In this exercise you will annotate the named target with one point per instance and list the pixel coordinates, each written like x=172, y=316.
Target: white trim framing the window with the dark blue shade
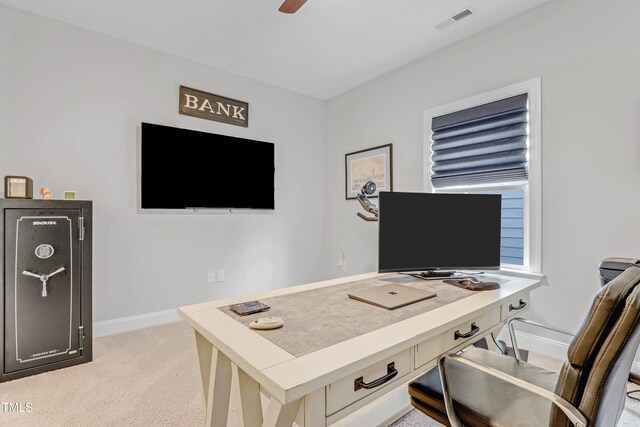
x=532, y=191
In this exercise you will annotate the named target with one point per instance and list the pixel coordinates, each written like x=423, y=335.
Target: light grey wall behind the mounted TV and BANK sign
x=70, y=104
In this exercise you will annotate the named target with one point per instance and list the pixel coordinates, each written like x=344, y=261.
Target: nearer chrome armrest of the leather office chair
x=576, y=418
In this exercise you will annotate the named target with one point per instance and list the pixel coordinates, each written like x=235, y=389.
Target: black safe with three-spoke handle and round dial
x=46, y=285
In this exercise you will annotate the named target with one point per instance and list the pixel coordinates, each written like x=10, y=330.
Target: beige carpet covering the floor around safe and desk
x=145, y=378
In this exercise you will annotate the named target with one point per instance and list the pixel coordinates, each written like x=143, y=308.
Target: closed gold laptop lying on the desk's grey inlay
x=391, y=296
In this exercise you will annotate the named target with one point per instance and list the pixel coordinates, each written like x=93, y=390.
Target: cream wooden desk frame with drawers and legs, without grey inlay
x=317, y=389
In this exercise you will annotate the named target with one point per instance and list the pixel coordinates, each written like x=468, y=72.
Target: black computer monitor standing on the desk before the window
x=425, y=231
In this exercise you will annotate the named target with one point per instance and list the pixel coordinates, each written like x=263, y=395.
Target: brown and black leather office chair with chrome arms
x=483, y=388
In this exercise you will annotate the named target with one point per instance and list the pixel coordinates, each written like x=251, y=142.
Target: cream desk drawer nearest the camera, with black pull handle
x=352, y=388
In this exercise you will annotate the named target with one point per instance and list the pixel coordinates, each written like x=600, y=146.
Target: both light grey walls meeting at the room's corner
x=71, y=101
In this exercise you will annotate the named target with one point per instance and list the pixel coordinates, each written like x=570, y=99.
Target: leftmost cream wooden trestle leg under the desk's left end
x=215, y=370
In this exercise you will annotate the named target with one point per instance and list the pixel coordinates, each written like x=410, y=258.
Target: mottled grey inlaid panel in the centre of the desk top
x=319, y=318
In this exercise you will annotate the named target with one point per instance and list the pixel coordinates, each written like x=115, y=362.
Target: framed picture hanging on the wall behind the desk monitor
x=373, y=164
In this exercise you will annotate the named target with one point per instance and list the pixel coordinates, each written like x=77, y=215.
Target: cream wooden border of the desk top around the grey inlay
x=282, y=372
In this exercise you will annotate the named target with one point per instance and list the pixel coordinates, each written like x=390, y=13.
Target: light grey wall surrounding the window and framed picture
x=587, y=54
